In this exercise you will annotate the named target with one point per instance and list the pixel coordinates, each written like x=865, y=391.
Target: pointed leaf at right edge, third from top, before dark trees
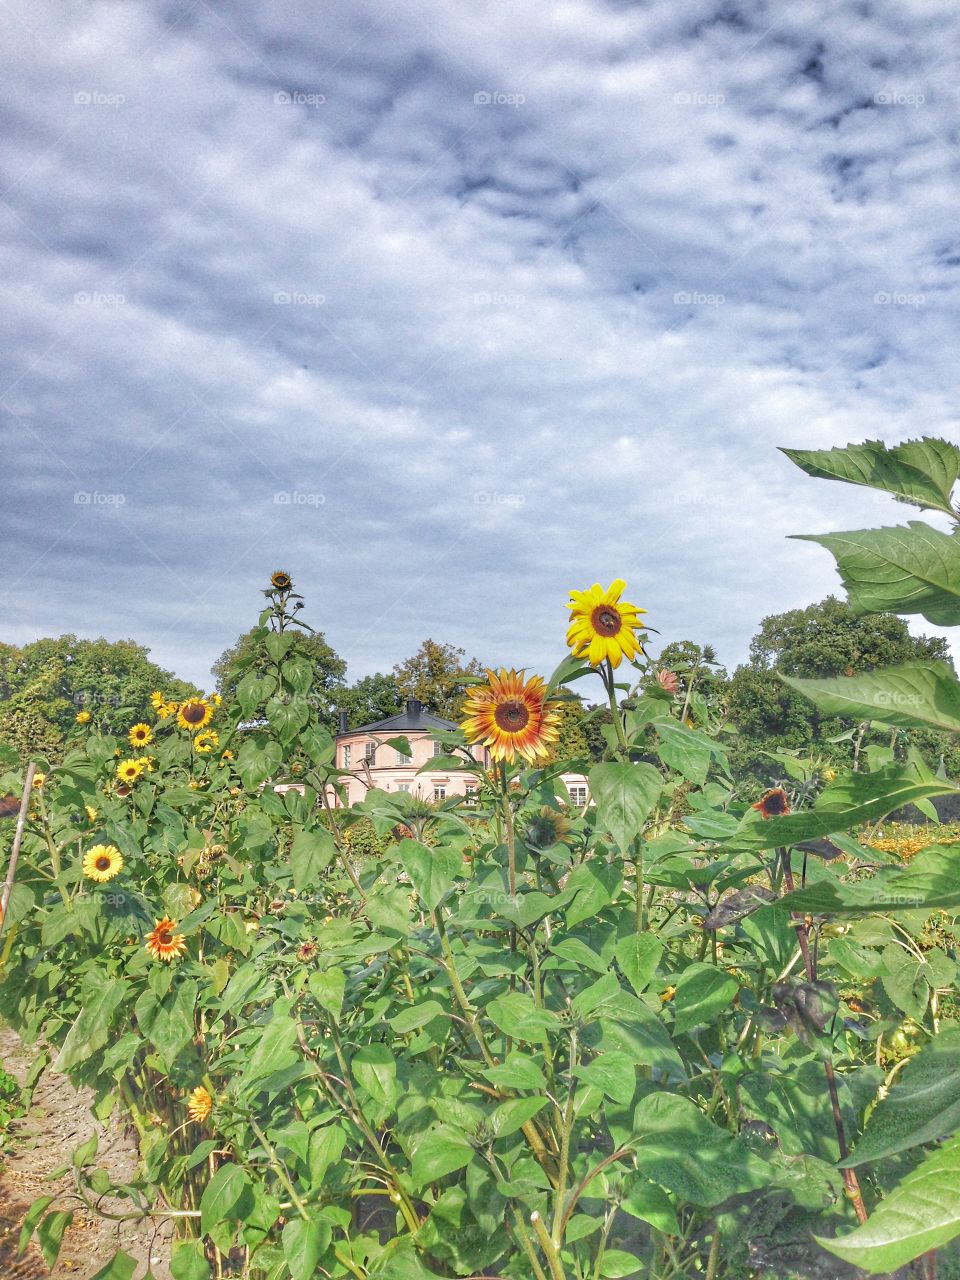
x=925, y=694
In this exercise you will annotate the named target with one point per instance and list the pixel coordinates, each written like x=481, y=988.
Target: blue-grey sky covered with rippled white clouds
x=449, y=308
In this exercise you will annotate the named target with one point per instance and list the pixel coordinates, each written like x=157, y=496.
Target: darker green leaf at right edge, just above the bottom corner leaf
x=924, y=1105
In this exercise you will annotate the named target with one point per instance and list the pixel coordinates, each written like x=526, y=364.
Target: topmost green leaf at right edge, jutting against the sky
x=921, y=472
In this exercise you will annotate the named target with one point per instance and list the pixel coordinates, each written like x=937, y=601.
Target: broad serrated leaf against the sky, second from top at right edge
x=913, y=569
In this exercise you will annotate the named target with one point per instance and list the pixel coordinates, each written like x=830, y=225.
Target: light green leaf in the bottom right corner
x=922, y=1214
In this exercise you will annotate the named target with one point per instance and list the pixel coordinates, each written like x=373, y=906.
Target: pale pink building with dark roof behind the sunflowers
x=372, y=762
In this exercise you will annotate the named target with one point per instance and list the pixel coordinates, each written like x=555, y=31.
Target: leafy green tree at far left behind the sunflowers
x=45, y=684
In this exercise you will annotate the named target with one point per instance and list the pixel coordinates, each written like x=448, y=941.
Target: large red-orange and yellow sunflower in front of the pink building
x=511, y=716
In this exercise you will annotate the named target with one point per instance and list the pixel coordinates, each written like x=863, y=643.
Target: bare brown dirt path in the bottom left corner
x=43, y=1141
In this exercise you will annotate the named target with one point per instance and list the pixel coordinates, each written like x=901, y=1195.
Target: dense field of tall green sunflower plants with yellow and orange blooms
x=671, y=1034
